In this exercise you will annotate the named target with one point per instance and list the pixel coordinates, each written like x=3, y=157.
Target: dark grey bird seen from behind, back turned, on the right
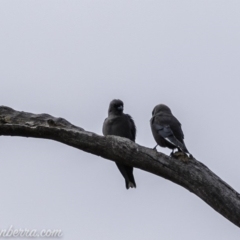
x=166, y=129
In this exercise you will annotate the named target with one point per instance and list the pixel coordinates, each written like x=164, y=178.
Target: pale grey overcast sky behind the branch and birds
x=70, y=59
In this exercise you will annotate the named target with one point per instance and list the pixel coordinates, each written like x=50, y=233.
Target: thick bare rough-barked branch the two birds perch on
x=193, y=175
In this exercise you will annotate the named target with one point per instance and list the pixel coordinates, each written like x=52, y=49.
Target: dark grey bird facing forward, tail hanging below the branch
x=119, y=124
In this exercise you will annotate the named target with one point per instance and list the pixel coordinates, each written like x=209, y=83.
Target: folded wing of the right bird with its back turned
x=166, y=132
